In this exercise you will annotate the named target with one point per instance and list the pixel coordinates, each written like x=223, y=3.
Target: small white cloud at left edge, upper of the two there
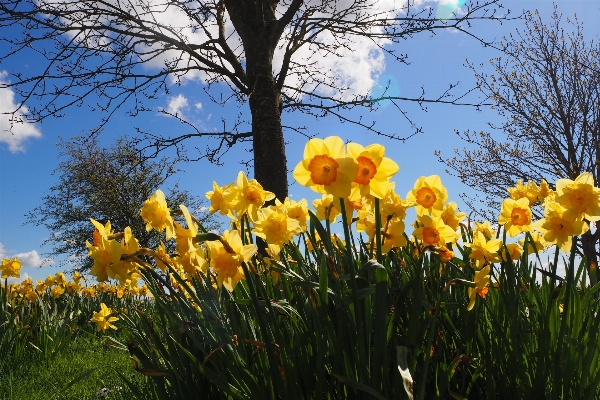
x=16, y=133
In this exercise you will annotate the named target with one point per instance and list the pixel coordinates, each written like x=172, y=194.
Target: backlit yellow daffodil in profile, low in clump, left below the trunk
x=226, y=261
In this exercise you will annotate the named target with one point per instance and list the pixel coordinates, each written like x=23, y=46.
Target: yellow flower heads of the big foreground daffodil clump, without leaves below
x=353, y=182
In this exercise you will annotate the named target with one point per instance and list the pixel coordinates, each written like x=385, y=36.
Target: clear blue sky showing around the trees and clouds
x=28, y=159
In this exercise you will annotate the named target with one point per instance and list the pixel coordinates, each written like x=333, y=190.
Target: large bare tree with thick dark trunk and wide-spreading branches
x=266, y=53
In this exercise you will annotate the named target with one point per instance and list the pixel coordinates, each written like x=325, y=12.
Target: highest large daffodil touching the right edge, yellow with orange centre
x=580, y=195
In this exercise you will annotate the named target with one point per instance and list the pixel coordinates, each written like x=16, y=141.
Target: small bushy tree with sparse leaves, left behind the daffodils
x=105, y=184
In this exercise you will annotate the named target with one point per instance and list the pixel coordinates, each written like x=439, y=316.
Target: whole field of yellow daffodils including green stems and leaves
x=279, y=307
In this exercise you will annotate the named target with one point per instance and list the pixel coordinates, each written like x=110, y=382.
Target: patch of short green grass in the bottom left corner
x=37, y=379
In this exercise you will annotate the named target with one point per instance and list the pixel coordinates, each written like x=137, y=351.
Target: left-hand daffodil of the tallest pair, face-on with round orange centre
x=326, y=168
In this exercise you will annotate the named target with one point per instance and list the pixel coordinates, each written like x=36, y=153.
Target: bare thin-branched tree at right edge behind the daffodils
x=547, y=87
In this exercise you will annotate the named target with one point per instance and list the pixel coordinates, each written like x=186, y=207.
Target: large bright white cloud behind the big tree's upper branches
x=356, y=68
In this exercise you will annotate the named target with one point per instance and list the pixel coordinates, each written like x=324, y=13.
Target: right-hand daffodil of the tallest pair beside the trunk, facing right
x=374, y=170
